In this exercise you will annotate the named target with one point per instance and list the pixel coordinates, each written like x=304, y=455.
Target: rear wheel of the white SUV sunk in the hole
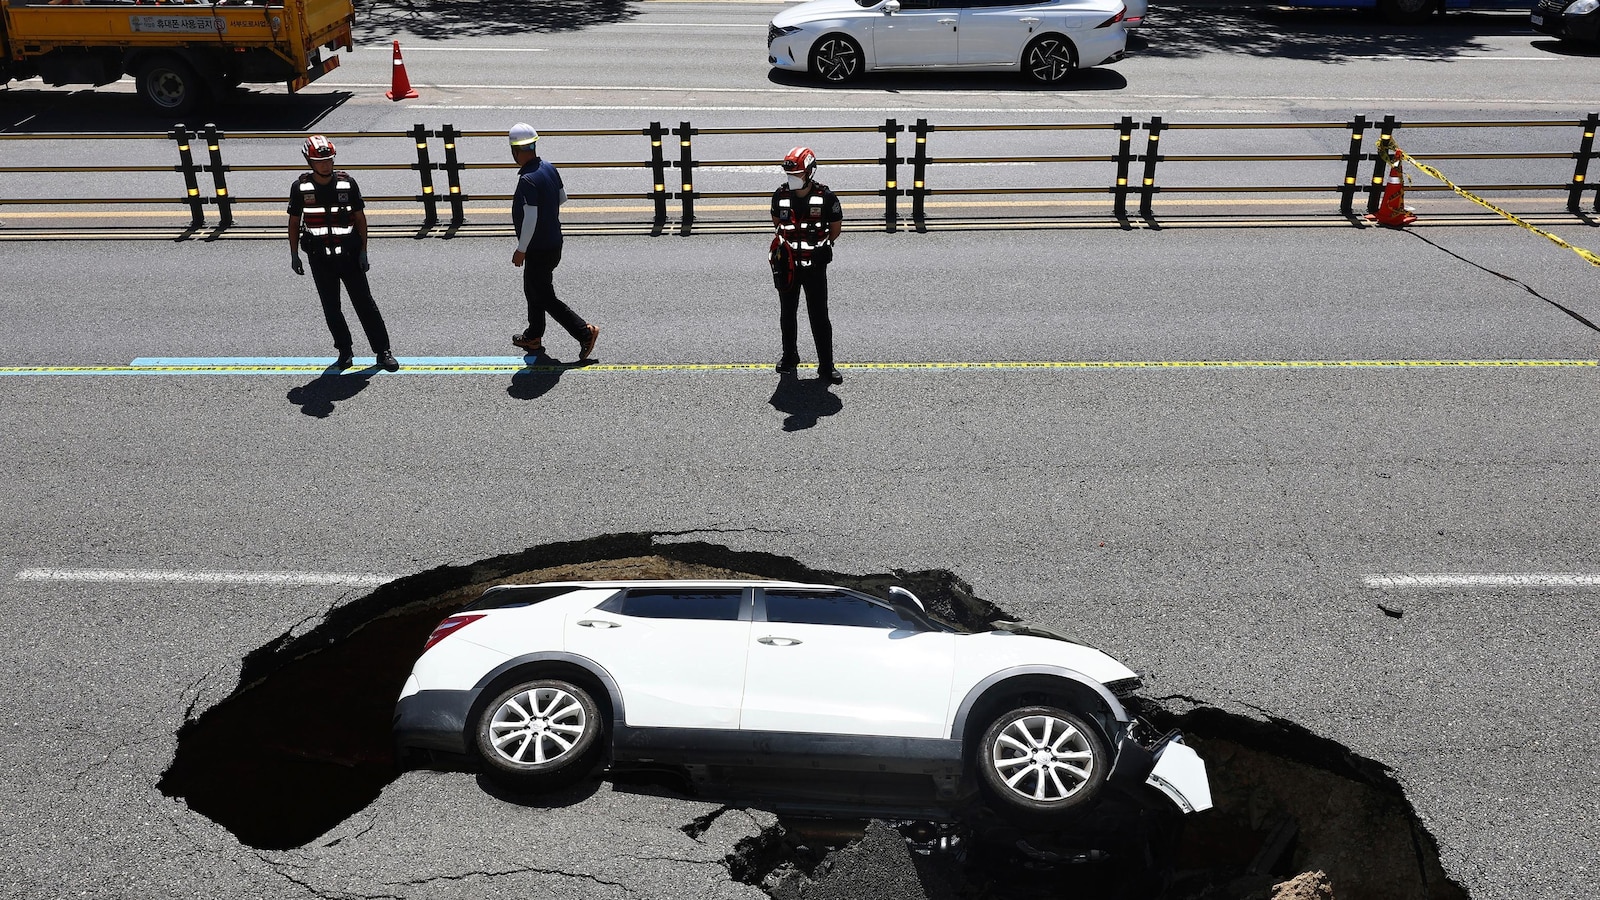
x=540, y=734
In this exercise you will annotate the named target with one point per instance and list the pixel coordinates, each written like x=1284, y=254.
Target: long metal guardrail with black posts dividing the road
x=1130, y=182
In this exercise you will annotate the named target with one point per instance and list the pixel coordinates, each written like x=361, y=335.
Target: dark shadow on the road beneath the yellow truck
x=39, y=111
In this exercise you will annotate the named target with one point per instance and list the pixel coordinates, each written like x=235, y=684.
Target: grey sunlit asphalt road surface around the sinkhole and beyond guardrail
x=1230, y=529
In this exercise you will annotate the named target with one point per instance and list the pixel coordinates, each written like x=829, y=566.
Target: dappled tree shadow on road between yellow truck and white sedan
x=479, y=18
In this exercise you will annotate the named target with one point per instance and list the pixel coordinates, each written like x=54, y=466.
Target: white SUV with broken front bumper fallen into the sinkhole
x=838, y=697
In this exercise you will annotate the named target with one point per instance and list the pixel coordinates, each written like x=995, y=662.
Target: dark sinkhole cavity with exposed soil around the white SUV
x=305, y=744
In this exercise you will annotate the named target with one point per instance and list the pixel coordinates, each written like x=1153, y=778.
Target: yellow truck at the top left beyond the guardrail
x=182, y=55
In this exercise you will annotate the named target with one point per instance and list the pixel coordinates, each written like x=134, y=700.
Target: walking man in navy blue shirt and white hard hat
x=537, y=219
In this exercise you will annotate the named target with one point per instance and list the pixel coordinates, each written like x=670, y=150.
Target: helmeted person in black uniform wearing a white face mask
x=809, y=220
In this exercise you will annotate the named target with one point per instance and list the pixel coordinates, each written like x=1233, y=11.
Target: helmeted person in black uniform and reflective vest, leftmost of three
x=329, y=217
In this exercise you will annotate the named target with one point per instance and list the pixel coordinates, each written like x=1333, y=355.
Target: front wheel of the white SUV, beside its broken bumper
x=1042, y=763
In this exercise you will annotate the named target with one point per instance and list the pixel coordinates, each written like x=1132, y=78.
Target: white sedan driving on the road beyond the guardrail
x=1049, y=39
